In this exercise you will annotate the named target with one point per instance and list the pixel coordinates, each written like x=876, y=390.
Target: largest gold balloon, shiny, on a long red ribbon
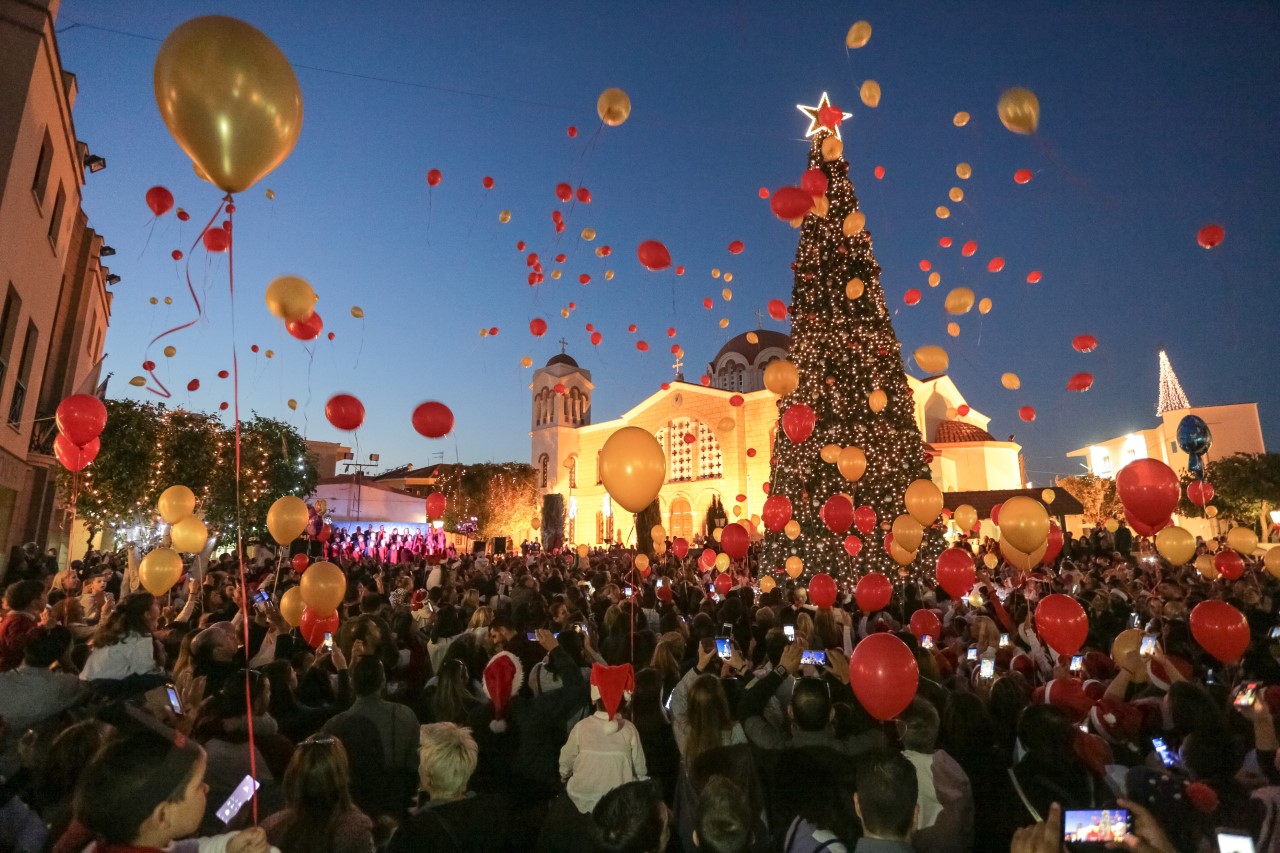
x=230, y=99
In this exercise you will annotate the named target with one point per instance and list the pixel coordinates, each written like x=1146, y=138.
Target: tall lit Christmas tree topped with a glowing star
x=851, y=375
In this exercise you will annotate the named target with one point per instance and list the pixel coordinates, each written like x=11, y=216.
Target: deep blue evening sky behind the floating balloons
x=1158, y=118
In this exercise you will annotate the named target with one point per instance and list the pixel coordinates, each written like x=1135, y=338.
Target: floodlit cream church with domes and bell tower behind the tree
x=719, y=435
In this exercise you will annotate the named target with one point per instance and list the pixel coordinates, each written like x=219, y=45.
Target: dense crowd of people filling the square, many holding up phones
x=546, y=701
